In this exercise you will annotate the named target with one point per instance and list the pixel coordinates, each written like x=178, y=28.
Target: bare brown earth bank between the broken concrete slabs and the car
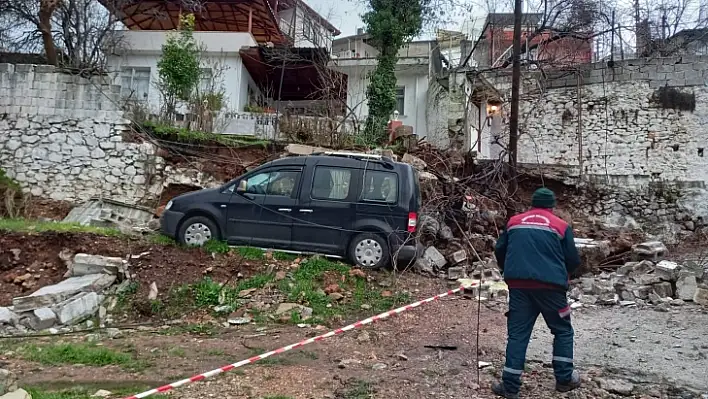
x=39, y=256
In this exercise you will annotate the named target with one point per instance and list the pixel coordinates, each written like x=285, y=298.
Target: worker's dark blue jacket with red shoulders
x=537, y=250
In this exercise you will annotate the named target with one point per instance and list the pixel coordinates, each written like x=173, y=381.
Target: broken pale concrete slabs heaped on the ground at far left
x=77, y=298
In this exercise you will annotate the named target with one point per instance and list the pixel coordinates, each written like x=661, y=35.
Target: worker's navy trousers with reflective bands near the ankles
x=524, y=308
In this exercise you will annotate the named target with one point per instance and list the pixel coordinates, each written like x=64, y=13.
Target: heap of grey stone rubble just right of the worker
x=642, y=283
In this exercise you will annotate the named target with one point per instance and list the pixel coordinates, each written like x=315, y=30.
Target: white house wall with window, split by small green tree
x=135, y=67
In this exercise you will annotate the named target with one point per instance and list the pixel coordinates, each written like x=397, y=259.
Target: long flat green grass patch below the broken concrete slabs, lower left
x=79, y=353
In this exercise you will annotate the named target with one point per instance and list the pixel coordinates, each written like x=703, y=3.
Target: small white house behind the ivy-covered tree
x=354, y=57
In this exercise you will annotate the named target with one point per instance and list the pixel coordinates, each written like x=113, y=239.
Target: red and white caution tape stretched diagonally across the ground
x=254, y=359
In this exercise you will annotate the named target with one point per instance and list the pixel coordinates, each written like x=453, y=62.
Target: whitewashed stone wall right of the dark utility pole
x=637, y=129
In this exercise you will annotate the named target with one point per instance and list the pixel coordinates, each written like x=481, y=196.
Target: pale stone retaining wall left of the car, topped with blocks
x=62, y=137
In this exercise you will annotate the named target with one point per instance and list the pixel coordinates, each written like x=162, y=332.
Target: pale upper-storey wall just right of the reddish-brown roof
x=306, y=31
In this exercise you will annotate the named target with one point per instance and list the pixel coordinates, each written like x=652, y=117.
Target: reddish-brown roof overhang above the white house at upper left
x=213, y=15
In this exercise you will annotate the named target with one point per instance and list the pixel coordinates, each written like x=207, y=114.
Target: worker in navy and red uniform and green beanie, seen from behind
x=536, y=253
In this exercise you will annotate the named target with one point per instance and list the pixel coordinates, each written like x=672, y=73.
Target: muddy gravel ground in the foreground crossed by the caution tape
x=387, y=360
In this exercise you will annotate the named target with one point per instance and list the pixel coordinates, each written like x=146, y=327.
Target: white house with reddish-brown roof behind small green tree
x=232, y=35
